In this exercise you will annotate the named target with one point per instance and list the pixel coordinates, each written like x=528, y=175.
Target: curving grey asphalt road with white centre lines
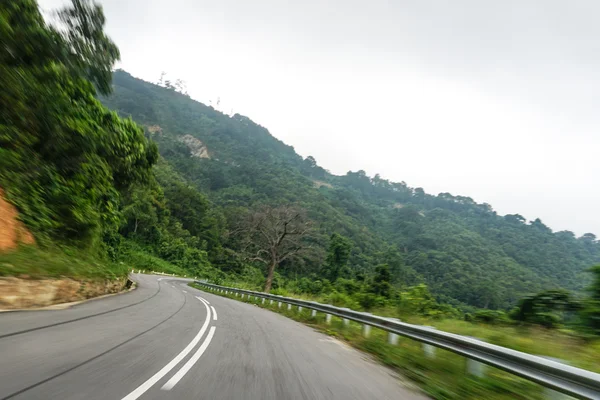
x=166, y=340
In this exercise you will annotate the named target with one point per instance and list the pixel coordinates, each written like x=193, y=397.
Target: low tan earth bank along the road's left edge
x=18, y=293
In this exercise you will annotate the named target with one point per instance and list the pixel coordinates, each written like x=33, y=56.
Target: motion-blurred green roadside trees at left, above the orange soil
x=65, y=159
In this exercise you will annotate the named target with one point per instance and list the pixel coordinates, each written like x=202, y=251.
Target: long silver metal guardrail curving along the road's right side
x=572, y=381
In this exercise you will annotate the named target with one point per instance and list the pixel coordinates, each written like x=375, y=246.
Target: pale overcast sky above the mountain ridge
x=496, y=100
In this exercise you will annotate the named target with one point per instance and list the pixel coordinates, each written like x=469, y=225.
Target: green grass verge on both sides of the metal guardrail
x=445, y=376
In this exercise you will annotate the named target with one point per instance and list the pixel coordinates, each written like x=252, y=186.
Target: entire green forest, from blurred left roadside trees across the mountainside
x=164, y=181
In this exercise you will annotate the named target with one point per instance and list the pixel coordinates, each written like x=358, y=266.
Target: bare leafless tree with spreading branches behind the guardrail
x=272, y=235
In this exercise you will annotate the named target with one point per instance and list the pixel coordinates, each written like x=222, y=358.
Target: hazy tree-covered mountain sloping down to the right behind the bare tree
x=215, y=167
